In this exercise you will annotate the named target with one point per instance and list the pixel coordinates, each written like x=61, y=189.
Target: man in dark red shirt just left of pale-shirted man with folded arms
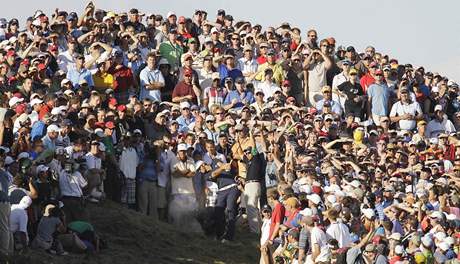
x=123, y=79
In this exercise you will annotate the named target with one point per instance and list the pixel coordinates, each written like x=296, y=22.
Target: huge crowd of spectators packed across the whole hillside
x=330, y=154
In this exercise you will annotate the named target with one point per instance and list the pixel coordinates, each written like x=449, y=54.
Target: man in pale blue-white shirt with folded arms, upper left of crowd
x=152, y=80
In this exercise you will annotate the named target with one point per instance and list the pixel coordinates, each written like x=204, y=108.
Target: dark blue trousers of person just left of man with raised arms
x=226, y=212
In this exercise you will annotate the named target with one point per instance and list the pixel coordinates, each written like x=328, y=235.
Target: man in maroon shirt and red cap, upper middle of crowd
x=187, y=89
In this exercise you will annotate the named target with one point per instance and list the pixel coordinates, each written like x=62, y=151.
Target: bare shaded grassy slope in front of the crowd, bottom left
x=132, y=238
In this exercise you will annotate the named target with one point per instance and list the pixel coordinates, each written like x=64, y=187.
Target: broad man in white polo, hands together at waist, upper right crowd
x=406, y=112
